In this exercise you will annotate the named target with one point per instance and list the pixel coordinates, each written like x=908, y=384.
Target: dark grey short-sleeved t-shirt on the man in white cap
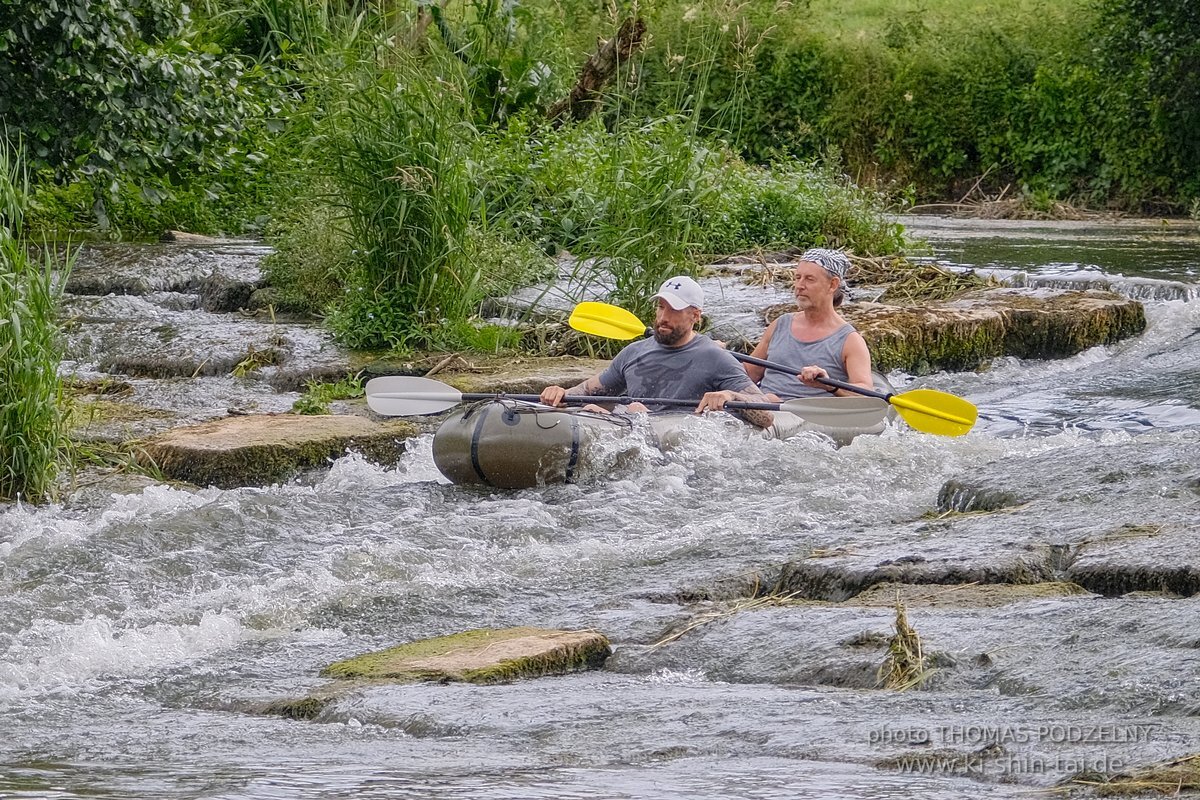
x=646, y=369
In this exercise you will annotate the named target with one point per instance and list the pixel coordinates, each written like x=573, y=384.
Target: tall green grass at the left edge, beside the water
x=32, y=426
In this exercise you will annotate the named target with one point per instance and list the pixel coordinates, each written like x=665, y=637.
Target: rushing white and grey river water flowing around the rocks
x=141, y=634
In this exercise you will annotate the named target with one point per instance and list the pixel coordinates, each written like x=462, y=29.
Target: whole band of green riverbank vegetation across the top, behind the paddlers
x=409, y=161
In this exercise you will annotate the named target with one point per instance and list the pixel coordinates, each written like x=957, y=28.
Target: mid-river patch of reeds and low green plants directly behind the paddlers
x=424, y=214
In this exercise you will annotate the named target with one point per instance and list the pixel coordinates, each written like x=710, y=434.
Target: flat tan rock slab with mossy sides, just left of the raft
x=262, y=449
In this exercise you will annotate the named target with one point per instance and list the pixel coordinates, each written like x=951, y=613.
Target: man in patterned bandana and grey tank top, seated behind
x=817, y=339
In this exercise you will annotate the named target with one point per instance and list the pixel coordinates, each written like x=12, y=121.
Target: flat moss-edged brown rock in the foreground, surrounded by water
x=481, y=657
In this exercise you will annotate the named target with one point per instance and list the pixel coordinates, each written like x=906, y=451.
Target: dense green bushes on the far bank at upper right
x=1096, y=104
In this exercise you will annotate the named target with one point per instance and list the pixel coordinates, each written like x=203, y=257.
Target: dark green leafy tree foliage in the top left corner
x=116, y=91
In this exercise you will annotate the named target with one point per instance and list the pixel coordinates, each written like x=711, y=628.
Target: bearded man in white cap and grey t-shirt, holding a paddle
x=677, y=364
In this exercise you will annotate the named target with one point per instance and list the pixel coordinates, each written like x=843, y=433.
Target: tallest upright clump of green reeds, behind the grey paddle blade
x=394, y=153
